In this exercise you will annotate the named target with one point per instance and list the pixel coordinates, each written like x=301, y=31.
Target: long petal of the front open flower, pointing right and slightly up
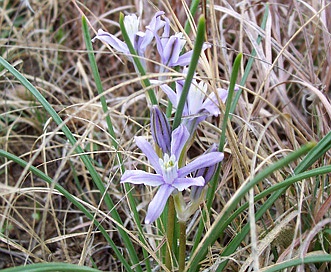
x=204, y=160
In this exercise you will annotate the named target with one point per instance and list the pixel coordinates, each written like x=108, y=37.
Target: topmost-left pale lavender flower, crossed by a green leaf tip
x=140, y=40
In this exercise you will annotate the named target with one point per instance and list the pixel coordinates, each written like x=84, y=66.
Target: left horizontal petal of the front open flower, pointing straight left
x=141, y=177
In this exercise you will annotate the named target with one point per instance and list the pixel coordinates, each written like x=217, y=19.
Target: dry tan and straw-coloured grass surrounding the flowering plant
x=285, y=103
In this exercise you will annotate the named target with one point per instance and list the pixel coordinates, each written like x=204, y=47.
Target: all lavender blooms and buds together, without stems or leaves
x=171, y=174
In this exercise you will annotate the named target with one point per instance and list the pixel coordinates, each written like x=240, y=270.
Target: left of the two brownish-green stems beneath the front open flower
x=170, y=232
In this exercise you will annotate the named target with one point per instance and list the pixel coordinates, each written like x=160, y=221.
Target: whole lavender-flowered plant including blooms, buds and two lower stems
x=191, y=100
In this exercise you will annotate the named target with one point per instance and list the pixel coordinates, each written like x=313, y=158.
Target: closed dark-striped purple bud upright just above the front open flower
x=160, y=129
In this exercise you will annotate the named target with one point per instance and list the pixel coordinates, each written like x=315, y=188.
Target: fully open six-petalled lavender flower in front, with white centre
x=168, y=174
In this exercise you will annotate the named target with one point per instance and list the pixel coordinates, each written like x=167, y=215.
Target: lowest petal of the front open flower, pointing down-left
x=156, y=206
